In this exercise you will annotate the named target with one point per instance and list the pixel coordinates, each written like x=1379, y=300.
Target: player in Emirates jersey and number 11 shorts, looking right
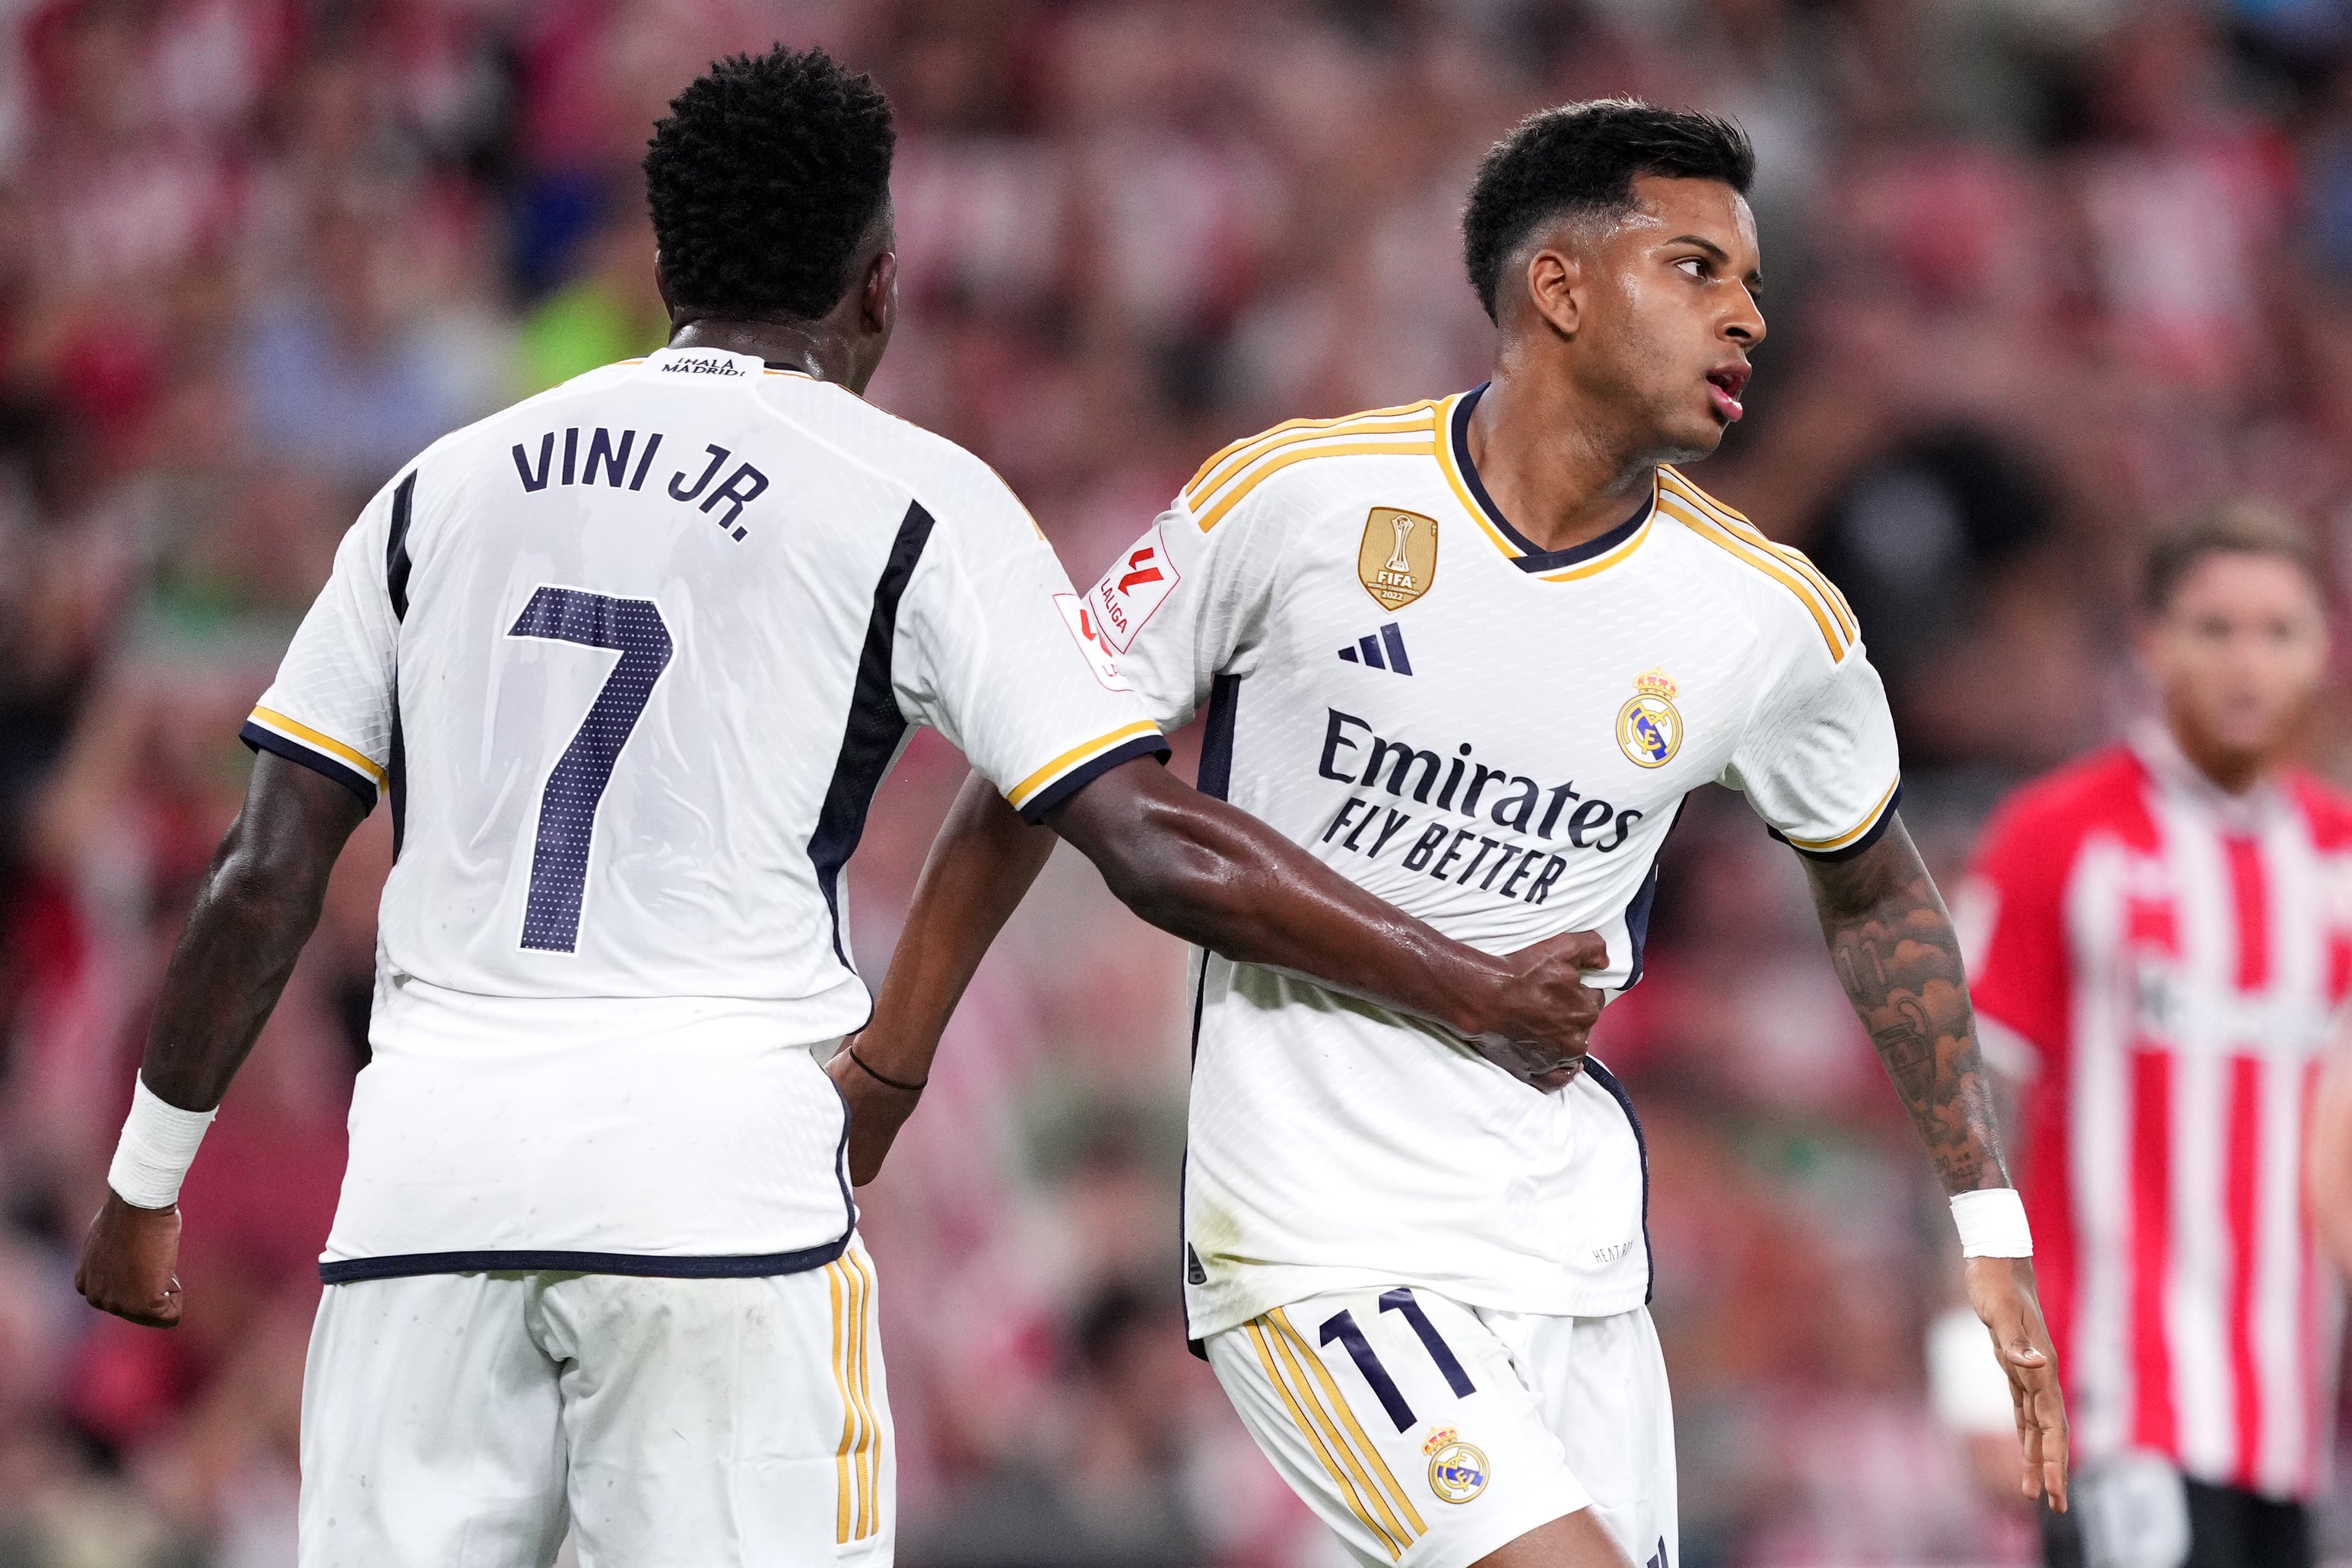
x=1471, y=655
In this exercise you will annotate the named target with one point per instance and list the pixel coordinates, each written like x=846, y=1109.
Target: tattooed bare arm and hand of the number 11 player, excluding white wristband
x=1899, y=960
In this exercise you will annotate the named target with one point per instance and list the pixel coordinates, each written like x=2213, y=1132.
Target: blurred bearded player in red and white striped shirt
x=2163, y=951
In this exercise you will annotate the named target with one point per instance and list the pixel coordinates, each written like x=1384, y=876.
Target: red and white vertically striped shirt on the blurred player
x=2163, y=963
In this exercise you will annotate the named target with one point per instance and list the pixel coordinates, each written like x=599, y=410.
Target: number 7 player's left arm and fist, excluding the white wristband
x=253, y=916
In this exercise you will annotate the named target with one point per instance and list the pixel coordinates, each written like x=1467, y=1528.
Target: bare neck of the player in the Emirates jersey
x=1551, y=469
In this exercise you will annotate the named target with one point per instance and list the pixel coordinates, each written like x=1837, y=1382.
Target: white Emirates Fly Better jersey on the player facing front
x=1492, y=739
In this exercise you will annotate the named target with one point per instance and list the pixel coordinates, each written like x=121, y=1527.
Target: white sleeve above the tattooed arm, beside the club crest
x=1819, y=758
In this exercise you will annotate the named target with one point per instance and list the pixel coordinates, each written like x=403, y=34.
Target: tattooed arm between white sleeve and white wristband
x=1899, y=960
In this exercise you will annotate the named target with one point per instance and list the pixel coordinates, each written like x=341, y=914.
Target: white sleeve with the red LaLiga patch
x=1182, y=605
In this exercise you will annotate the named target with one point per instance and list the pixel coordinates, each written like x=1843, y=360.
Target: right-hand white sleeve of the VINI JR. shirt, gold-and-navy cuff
x=994, y=657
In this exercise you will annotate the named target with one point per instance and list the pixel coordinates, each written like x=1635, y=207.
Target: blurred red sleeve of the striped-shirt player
x=2012, y=920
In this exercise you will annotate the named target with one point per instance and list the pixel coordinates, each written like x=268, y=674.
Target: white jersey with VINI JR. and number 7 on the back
x=629, y=662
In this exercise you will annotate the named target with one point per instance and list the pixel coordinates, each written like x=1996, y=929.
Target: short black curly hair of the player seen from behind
x=763, y=180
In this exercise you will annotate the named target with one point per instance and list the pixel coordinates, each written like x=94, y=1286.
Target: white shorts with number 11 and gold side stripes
x=1429, y=1435
